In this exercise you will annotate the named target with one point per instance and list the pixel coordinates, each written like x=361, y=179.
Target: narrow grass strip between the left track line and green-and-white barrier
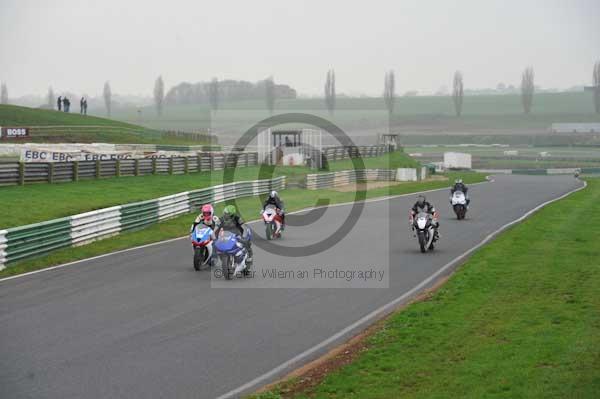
x=294, y=199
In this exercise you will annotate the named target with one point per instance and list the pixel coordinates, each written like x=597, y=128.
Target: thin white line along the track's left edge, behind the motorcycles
x=187, y=236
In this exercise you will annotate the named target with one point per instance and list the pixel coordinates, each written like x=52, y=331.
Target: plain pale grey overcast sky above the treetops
x=76, y=44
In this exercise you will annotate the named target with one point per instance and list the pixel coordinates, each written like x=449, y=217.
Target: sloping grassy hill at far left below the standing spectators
x=59, y=127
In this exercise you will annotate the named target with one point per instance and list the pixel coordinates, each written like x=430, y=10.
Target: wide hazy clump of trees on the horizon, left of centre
x=226, y=90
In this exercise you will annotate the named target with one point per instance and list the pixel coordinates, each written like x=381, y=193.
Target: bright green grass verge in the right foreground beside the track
x=521, y=319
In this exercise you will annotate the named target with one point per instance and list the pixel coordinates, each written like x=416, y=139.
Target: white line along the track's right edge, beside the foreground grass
x=297, y=360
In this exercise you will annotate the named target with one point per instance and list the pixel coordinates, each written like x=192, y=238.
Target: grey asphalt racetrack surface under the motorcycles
x=144, y=324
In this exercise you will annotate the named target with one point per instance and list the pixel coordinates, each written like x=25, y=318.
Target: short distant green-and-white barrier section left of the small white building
x=344, y=177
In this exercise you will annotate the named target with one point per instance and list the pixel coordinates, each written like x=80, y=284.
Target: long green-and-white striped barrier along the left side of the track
x=39, y=238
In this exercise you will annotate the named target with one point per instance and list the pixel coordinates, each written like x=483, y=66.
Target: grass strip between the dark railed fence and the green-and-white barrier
x=50, y=201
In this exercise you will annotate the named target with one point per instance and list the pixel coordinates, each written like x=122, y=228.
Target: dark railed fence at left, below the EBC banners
x=54, y=172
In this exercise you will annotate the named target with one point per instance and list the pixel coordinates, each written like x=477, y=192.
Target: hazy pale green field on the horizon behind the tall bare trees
x=481, y=113
